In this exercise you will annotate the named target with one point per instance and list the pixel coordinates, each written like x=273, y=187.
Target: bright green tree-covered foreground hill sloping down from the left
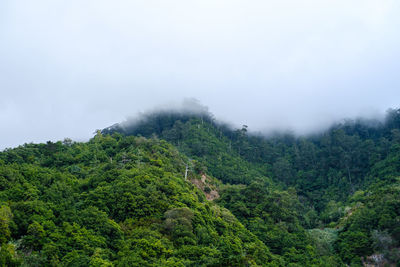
x=114, y=201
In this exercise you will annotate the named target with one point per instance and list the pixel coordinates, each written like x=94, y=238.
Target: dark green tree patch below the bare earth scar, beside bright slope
x=274, y=217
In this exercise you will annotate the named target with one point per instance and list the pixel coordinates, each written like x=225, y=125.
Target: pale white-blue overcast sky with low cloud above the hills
x=69, y=67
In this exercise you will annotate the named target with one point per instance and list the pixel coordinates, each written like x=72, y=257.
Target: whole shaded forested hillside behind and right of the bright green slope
x=322, y=181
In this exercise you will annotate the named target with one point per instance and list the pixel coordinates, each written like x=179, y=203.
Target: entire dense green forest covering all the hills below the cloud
x=182, y=189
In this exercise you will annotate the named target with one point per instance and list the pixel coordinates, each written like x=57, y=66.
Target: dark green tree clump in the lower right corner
x=373, y=225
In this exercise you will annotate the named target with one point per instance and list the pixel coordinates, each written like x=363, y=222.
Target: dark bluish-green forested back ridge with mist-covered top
x=328, y=166
